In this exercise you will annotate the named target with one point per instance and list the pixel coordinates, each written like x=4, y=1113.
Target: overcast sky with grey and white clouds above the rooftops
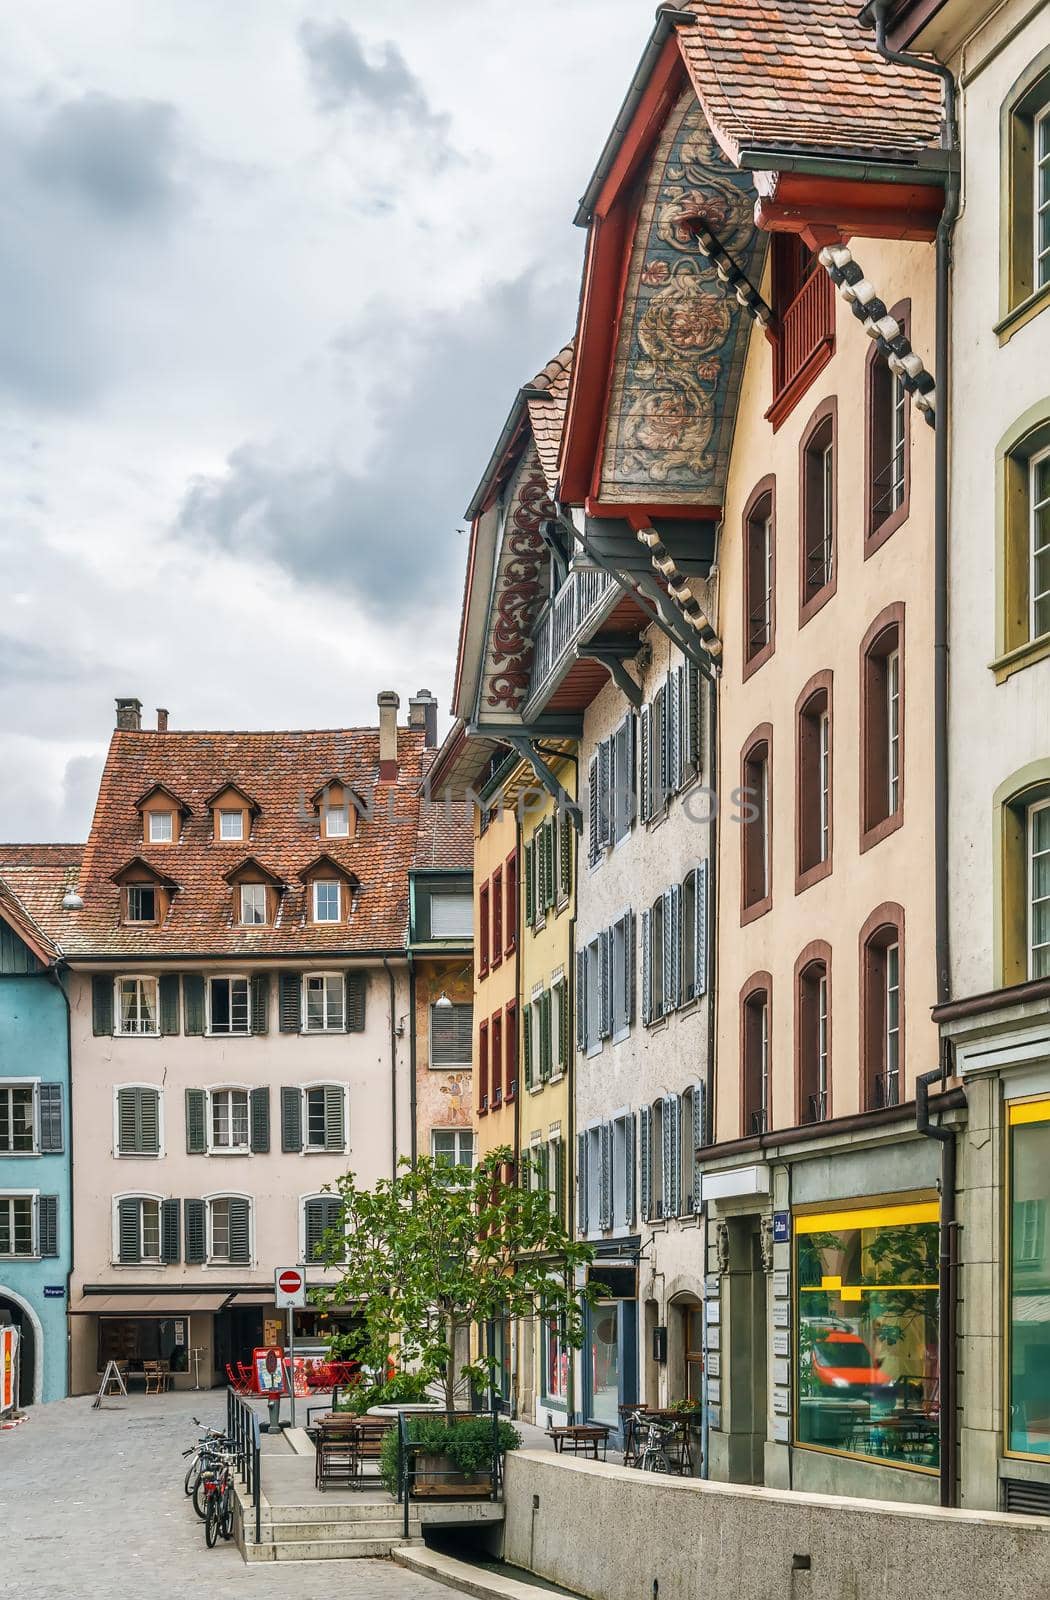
x=271, y=273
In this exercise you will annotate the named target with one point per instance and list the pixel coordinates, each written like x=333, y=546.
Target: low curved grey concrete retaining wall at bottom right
x=609, y=1532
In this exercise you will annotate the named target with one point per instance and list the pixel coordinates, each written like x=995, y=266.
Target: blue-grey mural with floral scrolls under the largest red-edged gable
x=684, y=340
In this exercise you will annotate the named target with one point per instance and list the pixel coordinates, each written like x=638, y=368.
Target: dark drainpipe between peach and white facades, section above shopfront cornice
x=950, y=142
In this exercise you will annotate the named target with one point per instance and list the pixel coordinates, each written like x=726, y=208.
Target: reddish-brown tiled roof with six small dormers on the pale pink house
x=281, y=772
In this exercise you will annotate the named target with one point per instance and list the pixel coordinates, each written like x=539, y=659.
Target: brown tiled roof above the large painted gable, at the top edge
x=804, y=76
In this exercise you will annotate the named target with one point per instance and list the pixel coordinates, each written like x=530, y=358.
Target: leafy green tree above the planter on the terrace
x=441, y=1249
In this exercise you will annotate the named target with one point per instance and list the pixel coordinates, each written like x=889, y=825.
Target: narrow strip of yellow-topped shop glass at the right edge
x=1030, y=1281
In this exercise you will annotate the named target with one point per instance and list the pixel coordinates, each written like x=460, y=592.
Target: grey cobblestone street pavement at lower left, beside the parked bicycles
x=92, y=1506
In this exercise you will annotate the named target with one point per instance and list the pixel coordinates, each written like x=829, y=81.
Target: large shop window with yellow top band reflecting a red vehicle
x=867, y=1318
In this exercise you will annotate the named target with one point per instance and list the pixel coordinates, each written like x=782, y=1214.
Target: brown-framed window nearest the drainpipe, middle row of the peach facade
x=883, y=727
